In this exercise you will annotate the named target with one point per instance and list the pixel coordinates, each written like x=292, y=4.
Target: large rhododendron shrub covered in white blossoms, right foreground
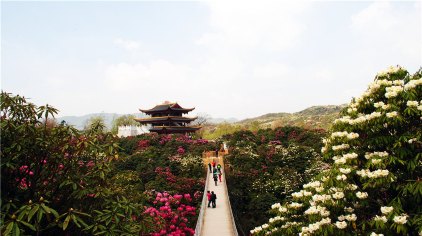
x=374, y=186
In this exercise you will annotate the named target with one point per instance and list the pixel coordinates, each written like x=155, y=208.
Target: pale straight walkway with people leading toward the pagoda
x=218, y=221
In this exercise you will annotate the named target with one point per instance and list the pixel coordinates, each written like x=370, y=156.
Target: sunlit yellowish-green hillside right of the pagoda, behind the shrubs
x=312, y=117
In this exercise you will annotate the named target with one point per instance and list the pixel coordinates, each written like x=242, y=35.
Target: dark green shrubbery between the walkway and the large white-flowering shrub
x=267, y=165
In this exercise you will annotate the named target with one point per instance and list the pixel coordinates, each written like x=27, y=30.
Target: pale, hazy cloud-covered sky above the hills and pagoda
x=226, y=58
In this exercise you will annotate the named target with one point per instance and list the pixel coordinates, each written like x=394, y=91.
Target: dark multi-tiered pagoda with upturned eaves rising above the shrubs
x=167, y=118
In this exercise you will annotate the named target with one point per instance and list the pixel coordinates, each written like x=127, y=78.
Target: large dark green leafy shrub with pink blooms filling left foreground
x=54, y=178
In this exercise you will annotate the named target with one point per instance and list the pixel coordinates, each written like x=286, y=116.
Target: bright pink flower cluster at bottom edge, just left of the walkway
x=171, y=215
